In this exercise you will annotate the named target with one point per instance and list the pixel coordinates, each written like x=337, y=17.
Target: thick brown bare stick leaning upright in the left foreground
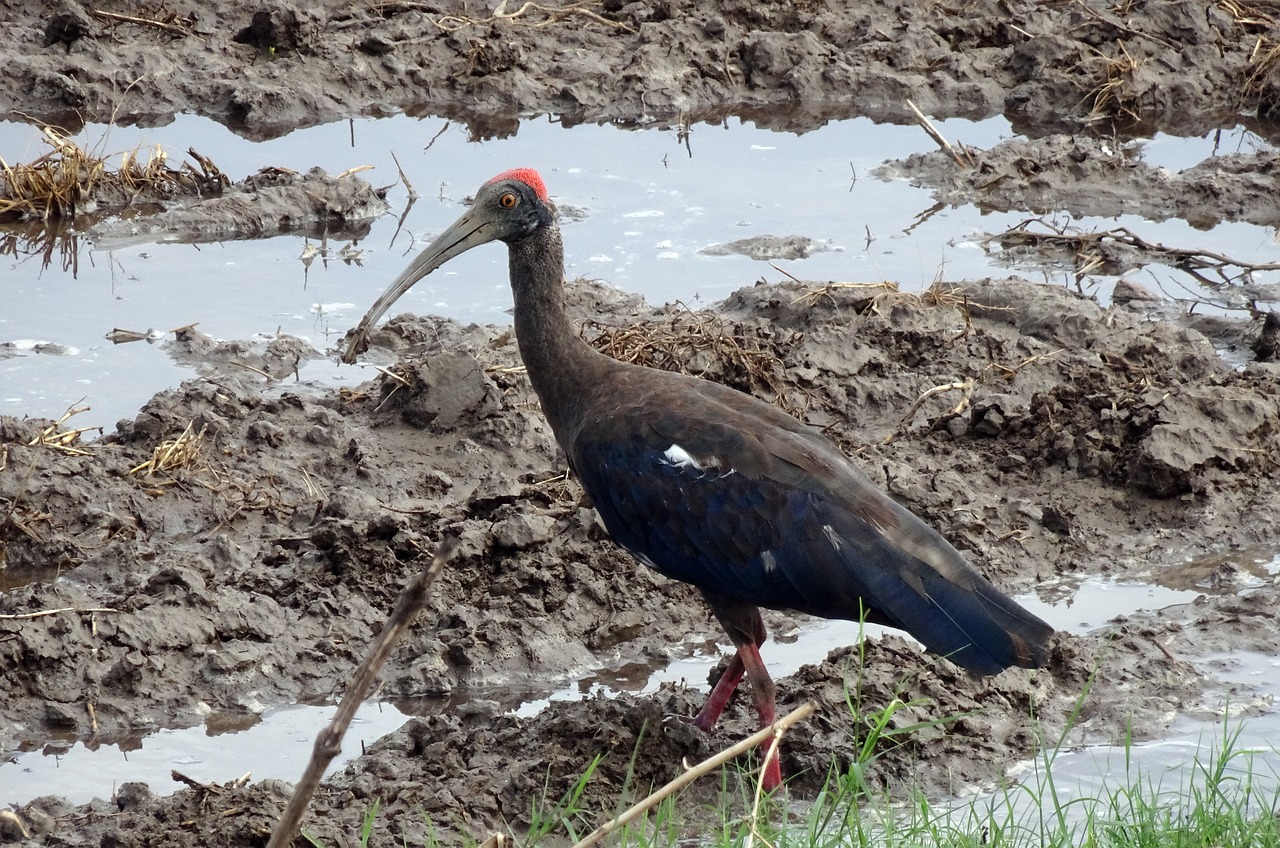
x=330, y=741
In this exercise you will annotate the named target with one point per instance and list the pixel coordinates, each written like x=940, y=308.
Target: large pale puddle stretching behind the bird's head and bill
x=647, y=211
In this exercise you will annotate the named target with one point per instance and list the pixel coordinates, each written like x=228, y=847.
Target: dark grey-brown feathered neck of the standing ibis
x=564, y=370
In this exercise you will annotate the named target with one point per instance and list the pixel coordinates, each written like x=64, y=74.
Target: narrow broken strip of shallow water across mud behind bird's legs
x=278, y=744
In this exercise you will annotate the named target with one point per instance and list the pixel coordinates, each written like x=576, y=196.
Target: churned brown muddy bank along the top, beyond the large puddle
x=266, y=69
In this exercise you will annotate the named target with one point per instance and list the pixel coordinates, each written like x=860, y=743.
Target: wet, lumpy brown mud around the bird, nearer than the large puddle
x=1077, y=439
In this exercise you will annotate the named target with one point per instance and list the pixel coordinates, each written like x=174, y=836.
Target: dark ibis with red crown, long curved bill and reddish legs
x=721, y=490
